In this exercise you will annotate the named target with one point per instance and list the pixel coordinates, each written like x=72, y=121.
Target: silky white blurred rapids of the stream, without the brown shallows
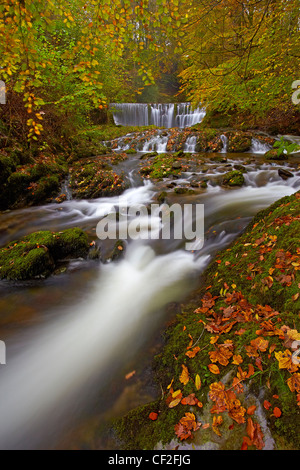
x=52, y=370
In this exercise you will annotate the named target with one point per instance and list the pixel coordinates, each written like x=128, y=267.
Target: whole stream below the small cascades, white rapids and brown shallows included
x=70, y=338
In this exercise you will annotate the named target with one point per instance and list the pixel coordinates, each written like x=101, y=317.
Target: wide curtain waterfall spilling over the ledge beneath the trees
x=162, y=115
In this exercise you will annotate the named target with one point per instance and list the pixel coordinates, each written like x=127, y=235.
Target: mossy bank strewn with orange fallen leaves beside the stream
x=226, y=371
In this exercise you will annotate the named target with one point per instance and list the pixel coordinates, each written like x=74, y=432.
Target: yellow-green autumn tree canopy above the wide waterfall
x=75, y=56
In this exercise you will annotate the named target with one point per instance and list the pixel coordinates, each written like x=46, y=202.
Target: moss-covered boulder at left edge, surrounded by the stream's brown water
x=37, y=254
